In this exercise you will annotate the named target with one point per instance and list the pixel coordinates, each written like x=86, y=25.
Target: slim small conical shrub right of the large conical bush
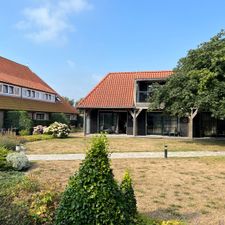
x=130, y=201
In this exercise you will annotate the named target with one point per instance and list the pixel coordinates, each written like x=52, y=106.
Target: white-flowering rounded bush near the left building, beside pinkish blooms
x=58, y=130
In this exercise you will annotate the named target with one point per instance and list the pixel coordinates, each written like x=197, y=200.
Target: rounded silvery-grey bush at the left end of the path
x=18, y=161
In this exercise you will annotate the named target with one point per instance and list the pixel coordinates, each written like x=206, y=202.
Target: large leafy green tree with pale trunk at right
x=198, y=83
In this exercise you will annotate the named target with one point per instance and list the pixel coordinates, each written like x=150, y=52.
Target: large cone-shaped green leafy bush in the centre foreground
x=92, y=195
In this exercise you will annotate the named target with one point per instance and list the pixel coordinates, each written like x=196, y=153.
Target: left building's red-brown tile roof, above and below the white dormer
x=20, y=75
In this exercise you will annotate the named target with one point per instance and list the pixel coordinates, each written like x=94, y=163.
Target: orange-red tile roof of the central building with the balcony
x=116, y=90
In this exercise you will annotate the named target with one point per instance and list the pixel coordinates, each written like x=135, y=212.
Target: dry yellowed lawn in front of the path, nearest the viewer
x=164, y=188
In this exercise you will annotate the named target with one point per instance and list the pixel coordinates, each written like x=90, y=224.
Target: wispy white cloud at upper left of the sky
x=50, y=22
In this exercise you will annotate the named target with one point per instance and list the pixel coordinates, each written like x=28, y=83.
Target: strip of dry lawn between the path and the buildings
x=78, y=144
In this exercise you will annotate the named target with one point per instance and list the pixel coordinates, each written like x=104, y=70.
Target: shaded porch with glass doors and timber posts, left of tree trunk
x=133, y=122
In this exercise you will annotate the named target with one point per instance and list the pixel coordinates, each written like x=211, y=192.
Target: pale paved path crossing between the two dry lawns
x=127, y=155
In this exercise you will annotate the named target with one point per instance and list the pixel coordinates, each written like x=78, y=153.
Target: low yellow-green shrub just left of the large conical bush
x=43, y=207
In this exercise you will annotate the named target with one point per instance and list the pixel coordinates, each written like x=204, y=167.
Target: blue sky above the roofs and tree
x=72, y=44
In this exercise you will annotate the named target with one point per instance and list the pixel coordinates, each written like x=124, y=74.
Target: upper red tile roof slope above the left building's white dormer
x=17, y=74
